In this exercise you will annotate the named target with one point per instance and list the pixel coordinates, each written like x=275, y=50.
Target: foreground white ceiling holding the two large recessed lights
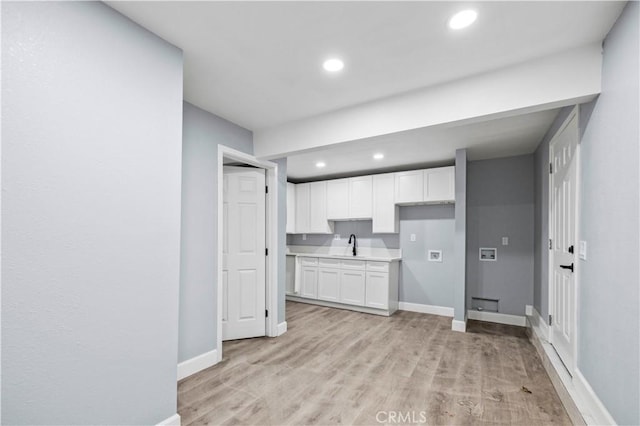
x=258, y=64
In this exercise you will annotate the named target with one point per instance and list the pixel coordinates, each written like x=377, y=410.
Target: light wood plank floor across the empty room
x=341, y=367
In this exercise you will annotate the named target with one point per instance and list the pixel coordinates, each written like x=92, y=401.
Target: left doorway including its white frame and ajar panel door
x=254, y=200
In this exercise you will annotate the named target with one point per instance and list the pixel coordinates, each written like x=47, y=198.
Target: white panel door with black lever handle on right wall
x=563, y=183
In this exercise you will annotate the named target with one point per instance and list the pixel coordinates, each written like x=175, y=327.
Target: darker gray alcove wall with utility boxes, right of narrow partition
x=500, y=203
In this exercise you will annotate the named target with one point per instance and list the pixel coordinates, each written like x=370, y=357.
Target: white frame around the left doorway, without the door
x=271, y=238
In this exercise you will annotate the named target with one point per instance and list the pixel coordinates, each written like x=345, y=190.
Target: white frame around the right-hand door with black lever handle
x=575, y=113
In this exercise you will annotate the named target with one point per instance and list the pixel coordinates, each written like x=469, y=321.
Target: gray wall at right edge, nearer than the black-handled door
x=608, y=352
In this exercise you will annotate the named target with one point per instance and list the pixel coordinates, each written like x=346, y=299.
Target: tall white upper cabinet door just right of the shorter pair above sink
x=385, y=211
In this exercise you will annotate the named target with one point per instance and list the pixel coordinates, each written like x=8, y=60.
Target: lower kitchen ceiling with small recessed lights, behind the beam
x=430, y=146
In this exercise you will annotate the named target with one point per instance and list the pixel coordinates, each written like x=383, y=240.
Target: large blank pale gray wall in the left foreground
x=91, y=131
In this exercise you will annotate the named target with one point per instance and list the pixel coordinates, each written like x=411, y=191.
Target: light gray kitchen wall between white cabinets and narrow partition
x=421, y=281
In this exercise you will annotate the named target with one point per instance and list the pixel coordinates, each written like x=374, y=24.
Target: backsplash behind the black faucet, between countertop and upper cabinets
x=362, y=230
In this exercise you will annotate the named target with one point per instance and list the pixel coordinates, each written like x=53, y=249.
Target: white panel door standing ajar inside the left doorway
x=243, y=270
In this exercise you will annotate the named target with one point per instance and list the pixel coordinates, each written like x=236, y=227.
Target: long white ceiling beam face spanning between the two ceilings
x=558, y=80
